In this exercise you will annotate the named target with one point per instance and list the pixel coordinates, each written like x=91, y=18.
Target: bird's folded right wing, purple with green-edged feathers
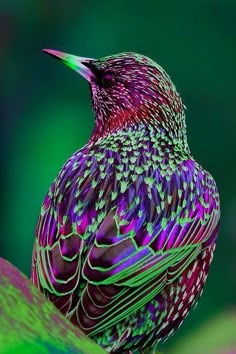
x=146, y=243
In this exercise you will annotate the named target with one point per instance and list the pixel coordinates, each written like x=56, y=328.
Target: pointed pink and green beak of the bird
x=76, y=63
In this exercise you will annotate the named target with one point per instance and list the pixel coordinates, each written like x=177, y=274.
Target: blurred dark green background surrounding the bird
x=46, y=113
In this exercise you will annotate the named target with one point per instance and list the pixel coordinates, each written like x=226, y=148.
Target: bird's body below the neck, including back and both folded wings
x=125, y=238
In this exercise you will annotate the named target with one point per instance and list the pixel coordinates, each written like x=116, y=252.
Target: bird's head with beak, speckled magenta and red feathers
x=129, y=90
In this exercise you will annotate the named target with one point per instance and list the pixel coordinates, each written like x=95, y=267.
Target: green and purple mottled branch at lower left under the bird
x=31, y=324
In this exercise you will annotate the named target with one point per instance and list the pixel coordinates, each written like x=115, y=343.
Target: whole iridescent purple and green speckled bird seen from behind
x=128, y=228
